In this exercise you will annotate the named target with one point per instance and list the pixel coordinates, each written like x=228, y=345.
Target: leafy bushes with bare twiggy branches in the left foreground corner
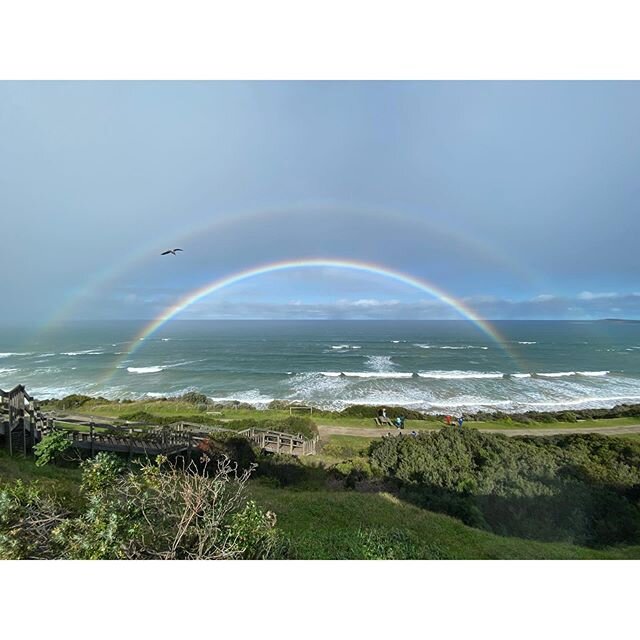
x=157, y=511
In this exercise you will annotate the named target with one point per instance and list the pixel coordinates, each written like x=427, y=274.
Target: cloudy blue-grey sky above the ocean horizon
x=521, y=199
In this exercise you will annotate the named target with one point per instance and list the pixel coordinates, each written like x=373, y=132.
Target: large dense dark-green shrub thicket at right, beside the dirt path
x=579, y=488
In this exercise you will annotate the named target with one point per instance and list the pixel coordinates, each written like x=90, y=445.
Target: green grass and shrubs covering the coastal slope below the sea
x=436, y=493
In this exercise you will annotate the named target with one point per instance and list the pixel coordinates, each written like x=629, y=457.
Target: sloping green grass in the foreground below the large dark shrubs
x=328, y=524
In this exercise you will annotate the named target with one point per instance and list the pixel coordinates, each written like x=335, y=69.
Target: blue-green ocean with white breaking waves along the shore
x=436, y=366
